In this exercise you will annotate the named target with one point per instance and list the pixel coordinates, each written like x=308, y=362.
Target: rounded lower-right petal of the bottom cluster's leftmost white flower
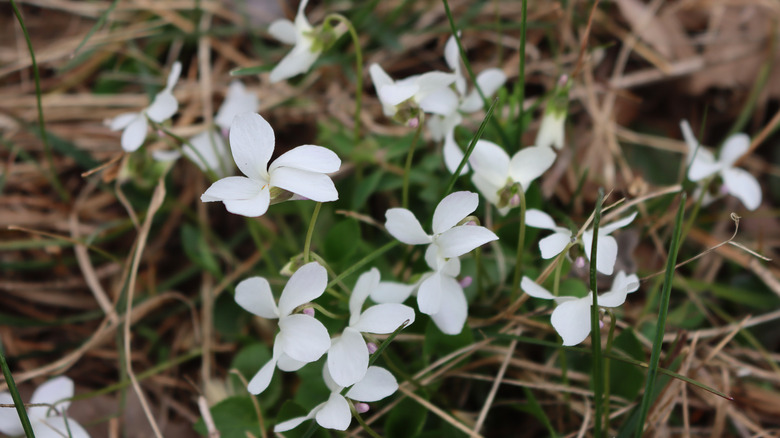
x=303, y=338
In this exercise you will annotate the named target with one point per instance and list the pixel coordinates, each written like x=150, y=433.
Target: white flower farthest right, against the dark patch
x=737, y=182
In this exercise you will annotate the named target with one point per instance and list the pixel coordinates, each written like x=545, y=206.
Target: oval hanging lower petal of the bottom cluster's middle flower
x=348, y=358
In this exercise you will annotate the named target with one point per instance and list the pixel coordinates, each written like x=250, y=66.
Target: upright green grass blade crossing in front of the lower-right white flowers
x=595, y=329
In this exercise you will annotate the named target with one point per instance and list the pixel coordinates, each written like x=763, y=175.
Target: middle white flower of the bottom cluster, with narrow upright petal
x=348, y=354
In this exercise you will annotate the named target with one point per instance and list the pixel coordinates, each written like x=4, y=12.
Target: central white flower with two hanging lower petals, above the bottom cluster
x=439, y=294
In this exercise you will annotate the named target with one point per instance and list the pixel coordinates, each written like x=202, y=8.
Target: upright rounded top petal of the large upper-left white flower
x=252, y=143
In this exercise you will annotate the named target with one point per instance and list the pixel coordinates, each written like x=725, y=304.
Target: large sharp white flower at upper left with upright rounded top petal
x=300, y=171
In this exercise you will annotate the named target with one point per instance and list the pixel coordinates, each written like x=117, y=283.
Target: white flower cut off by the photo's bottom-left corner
x=47, y=421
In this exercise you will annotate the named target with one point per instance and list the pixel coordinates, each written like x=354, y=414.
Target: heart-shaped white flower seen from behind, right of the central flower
x=496, y=175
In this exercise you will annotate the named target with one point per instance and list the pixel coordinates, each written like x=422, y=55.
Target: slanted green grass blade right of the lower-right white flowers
x=666, y=293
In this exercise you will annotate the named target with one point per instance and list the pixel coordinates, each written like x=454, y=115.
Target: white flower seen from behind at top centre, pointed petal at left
x=413, y=93
